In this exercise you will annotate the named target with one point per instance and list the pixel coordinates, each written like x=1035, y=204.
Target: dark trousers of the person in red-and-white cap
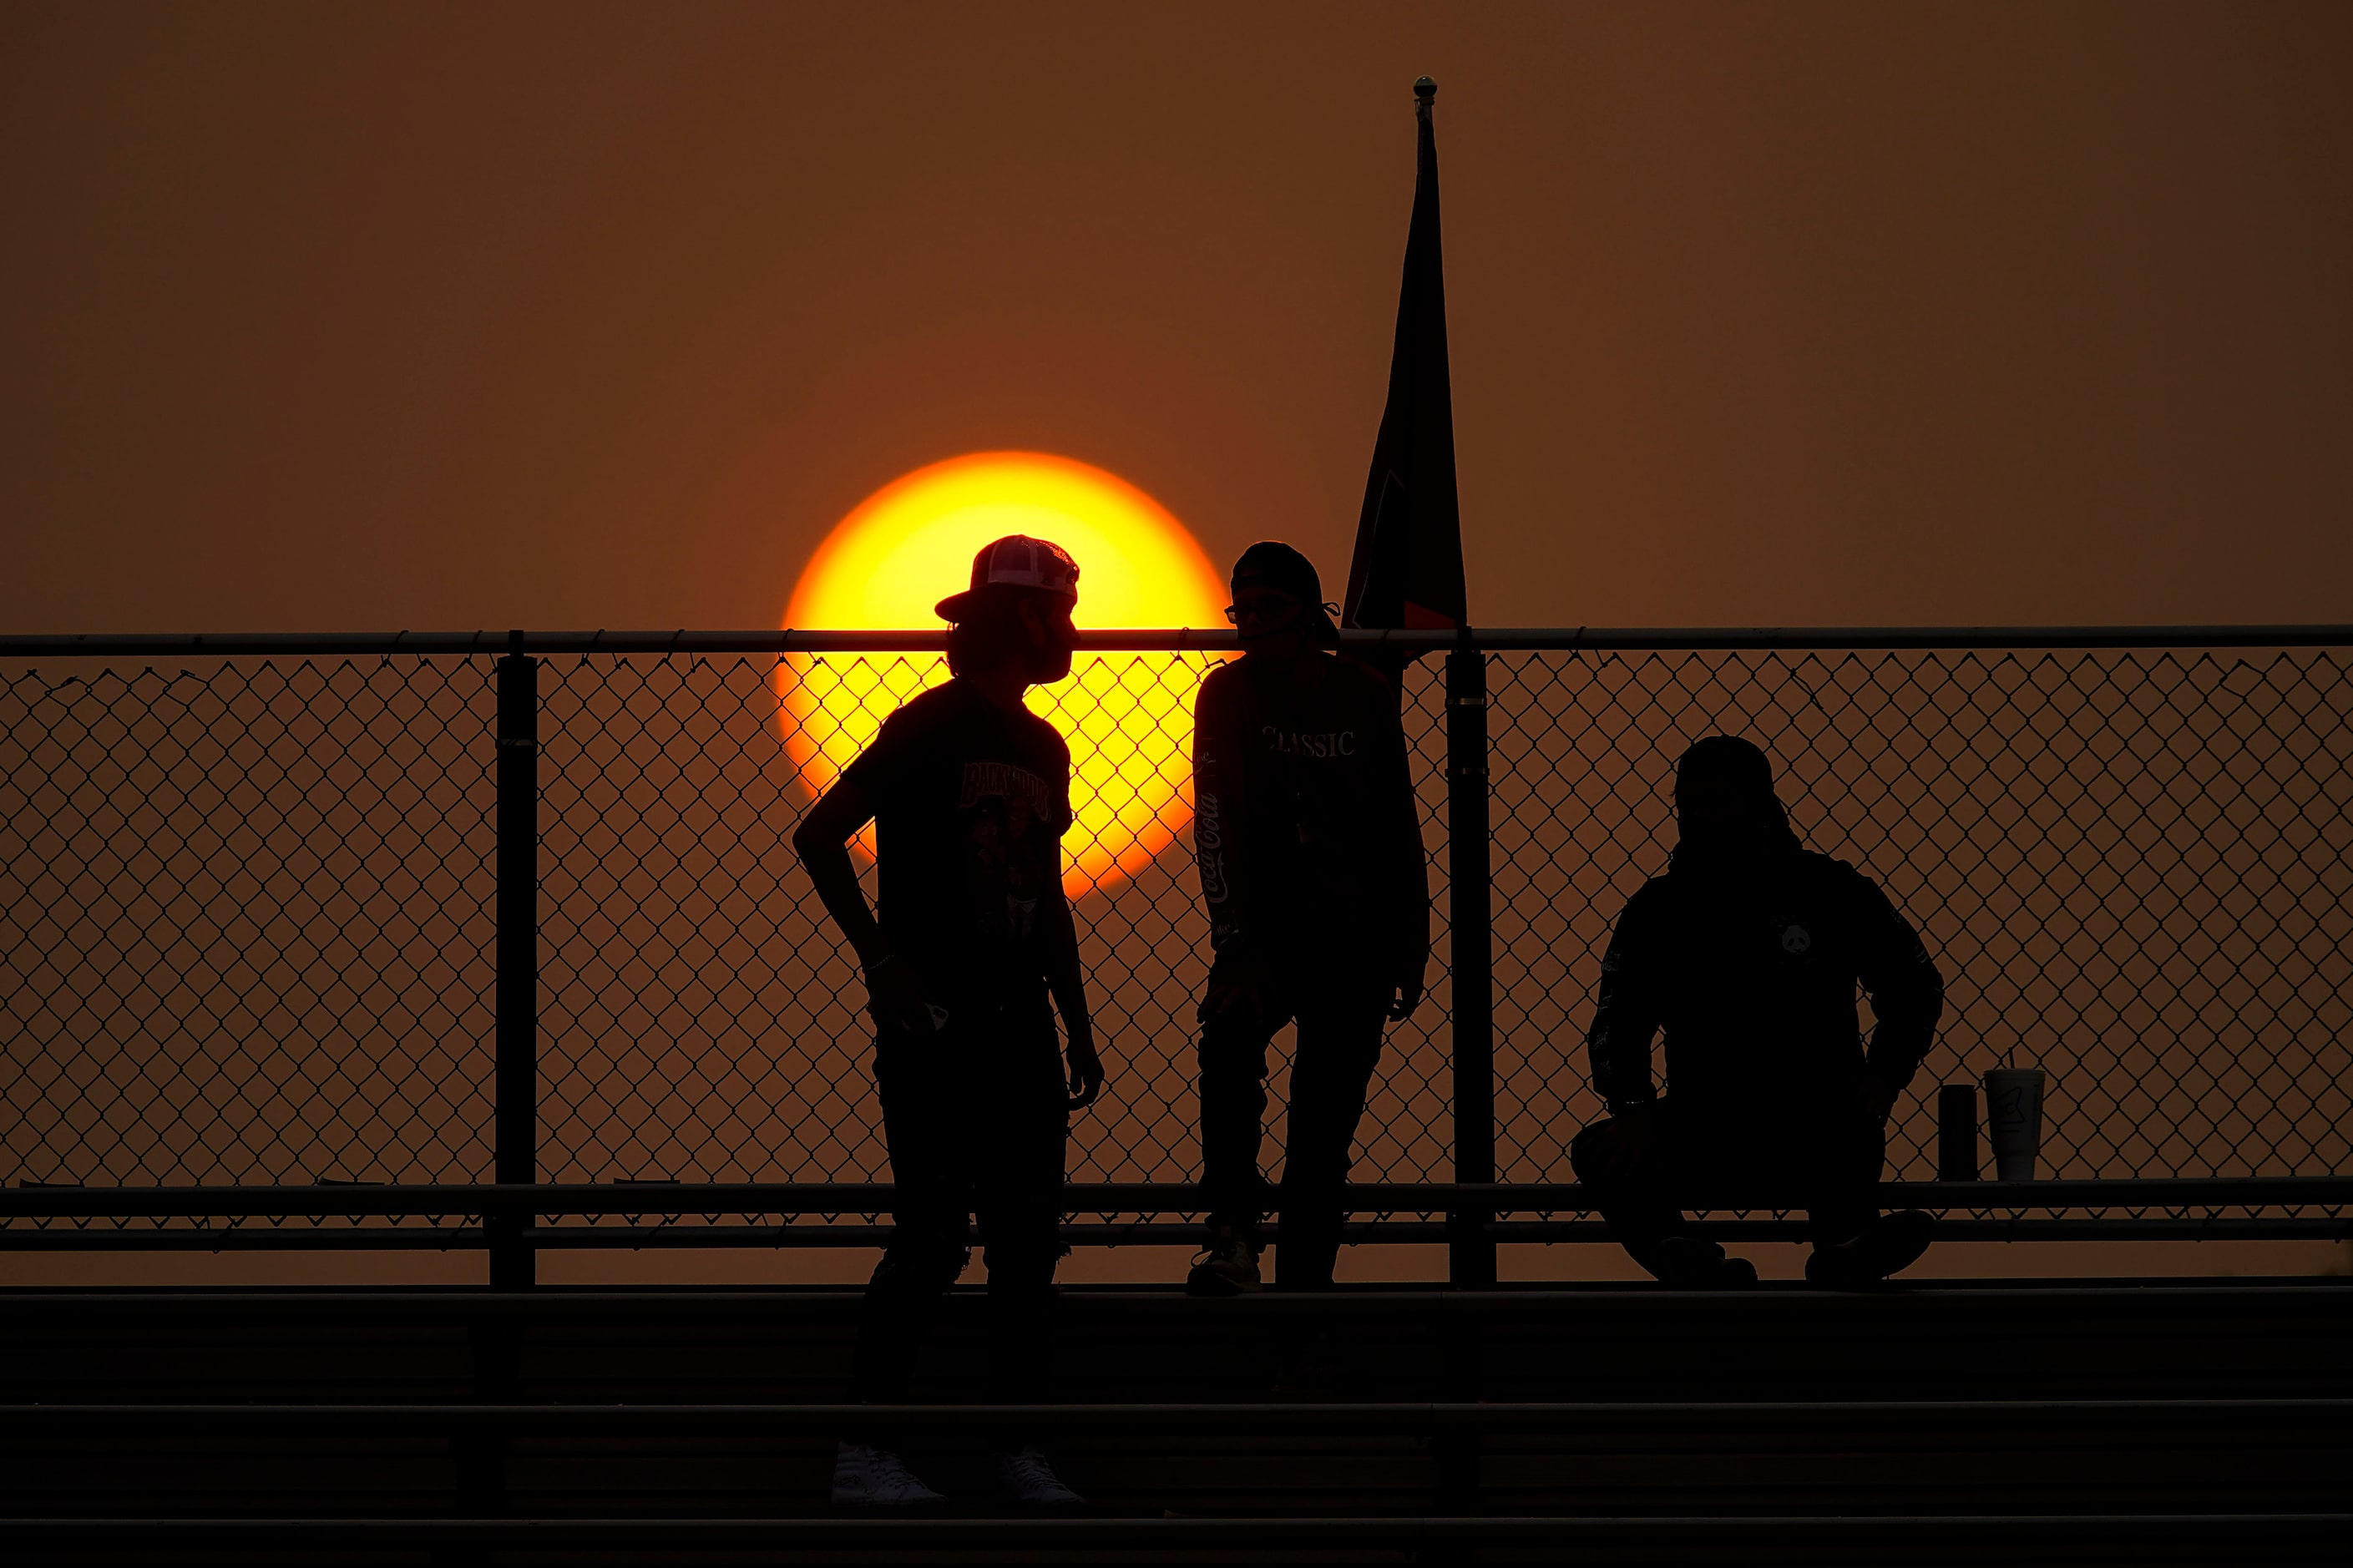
x=975, y=1124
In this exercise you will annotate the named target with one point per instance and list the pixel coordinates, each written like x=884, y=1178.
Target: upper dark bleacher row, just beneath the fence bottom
x=1933, y=1341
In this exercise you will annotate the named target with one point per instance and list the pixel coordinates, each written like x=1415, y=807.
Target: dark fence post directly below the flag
x=1469, y=1251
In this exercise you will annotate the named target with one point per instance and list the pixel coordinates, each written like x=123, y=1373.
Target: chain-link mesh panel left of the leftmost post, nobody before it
x=246, y=924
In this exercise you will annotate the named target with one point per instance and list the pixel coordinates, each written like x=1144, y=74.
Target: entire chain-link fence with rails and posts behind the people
x=460, y=910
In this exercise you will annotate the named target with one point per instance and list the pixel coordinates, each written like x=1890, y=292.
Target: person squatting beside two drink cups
x=1749, y=952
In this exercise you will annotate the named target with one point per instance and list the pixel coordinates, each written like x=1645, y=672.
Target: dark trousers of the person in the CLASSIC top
x=1340, y=1009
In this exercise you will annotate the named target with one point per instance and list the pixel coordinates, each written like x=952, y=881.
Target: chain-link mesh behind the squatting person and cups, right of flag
x=2133, y=872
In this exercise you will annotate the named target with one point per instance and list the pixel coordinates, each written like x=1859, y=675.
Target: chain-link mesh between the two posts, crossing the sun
x=702, y=1018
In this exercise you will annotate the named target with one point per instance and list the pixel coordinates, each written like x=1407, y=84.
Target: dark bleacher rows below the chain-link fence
x=1620, y=1414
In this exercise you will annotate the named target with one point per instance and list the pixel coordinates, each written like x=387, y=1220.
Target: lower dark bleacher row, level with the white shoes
x=1253, y=1459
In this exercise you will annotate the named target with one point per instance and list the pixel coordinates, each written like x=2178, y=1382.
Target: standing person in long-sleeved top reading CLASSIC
x=1309, y=856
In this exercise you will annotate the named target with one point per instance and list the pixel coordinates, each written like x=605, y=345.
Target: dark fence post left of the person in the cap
x=516, y=1091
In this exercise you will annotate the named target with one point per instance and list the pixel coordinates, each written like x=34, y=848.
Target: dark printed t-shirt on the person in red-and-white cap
x=971, y=809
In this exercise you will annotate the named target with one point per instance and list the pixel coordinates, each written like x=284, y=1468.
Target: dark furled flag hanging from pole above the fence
x=1408, y=566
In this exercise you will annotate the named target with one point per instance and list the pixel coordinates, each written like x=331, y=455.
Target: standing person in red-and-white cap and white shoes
x=971, y=795
